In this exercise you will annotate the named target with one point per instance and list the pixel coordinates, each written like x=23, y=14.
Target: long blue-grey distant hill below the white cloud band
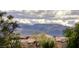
x=52, y=29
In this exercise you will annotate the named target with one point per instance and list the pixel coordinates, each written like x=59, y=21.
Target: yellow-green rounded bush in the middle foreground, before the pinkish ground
x=46, y=42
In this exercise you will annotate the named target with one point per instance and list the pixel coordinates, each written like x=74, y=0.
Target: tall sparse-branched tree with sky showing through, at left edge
x=8, y=36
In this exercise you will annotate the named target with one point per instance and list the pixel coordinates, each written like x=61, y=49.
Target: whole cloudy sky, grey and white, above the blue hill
x=70, y=17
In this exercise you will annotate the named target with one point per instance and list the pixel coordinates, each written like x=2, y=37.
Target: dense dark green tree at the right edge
x=73, y=36
